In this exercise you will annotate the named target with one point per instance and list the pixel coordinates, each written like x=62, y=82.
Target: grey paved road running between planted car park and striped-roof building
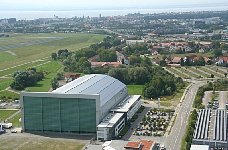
x=173, y=141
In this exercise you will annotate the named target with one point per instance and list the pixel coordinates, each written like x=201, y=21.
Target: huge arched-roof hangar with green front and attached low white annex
x=90, y=104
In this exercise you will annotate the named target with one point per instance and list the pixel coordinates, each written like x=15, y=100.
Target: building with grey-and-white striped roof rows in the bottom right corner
x=211, y=128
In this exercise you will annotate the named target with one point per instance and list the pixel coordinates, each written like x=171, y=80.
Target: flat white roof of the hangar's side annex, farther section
x=125, y=105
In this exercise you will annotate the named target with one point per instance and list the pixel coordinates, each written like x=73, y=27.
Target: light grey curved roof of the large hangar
x=104, y=85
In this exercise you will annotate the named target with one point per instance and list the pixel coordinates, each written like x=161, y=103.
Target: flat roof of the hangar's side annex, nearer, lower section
x=110, y=120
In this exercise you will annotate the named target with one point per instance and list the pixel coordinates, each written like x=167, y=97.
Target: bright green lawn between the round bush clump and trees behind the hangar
x=51, y=68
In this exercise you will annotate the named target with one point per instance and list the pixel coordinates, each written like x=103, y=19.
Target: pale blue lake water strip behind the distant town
x=95, y=13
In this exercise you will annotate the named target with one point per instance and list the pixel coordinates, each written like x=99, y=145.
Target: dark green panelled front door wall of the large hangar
x=59, y=114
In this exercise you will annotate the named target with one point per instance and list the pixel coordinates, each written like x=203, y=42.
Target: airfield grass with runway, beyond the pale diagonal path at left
x=23, y=48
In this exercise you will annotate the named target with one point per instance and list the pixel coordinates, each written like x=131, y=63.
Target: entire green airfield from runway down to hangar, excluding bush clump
x=22, y=51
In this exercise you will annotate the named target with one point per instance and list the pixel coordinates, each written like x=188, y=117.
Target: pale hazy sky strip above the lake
x=102, y=4
